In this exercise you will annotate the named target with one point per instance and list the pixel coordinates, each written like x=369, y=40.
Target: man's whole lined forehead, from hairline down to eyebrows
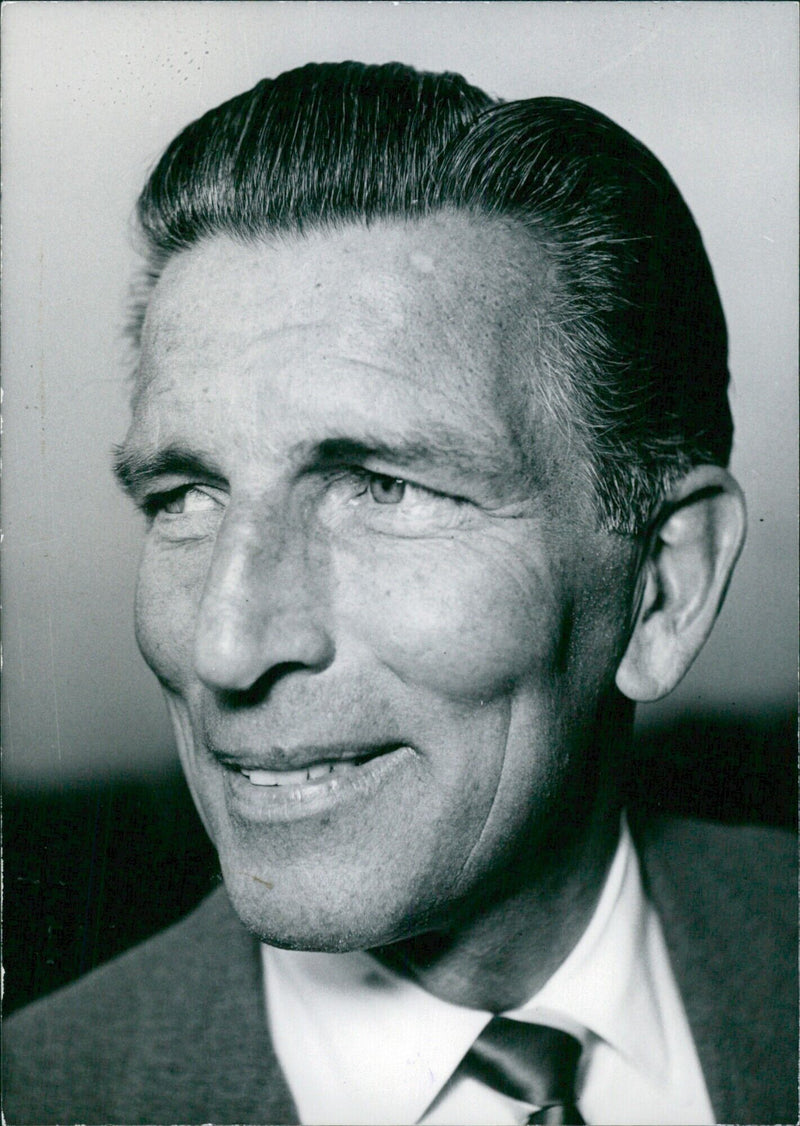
x=426, y=323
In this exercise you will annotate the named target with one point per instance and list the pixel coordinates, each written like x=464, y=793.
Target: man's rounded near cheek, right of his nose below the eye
x=467, y=623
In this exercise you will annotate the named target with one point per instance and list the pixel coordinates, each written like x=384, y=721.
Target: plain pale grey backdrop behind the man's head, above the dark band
x=92, y=95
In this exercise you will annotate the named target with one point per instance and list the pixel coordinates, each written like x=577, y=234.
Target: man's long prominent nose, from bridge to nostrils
x=263, y=609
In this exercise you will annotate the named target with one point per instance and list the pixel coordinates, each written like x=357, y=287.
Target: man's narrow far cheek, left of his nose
x=168, y=594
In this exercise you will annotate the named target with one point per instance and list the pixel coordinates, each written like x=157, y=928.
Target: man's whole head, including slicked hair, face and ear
x=431, y=431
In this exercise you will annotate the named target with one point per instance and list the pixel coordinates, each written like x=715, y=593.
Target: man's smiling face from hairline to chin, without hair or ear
x=383, y=621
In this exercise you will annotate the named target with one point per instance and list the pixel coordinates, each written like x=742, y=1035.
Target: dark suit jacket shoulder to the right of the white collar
x=727, y=897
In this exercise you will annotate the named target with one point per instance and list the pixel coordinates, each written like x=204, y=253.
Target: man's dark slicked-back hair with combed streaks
x=634, y=345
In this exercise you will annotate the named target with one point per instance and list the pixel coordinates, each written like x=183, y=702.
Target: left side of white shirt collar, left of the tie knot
x=371, y=1034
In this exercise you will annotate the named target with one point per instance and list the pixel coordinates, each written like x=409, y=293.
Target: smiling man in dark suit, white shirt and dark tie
x=430, y=430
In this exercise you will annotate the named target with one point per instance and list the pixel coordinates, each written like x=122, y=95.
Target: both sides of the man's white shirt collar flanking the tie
x=354, y=1038
